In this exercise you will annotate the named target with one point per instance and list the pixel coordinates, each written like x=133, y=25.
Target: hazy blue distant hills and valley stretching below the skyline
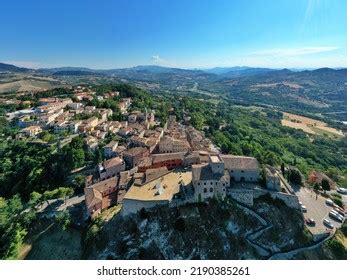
x=319, y=90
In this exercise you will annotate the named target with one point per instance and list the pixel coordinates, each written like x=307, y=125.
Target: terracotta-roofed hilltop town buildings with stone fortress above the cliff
x=148, y=164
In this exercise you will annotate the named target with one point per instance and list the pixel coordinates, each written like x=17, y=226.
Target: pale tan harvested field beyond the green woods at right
x=309, y=125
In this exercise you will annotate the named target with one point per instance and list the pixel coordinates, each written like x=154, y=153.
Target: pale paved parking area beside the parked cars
x=316, y=209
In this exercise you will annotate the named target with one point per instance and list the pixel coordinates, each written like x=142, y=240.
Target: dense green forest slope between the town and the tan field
x=258, y=132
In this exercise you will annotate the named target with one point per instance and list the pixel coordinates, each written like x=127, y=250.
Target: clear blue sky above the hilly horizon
x=178, y=33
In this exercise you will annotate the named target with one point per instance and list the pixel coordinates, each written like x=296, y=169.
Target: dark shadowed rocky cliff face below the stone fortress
x=217, y=230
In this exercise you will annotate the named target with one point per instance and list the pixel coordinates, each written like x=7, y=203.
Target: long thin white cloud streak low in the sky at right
x=290, y=52
